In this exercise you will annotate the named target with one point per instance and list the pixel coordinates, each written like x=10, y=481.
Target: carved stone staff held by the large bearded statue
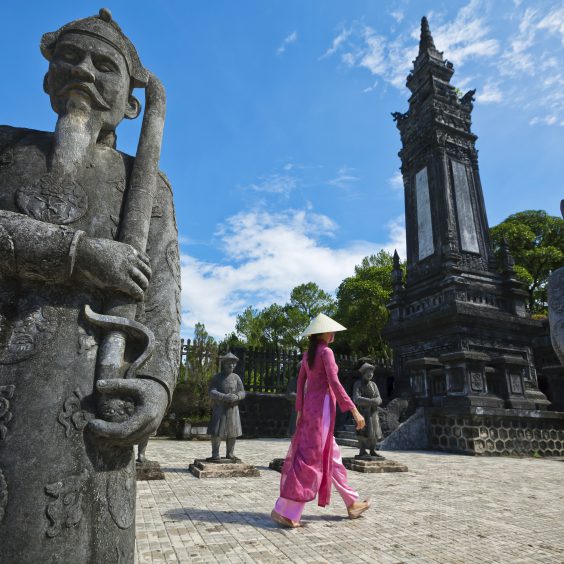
x=134, y=230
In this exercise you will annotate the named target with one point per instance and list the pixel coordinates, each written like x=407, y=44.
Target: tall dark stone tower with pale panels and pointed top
x=459, y=328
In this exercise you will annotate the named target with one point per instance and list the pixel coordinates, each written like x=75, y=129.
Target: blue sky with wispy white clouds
x=279, y=141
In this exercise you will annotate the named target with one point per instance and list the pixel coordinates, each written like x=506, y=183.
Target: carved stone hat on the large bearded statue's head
x=101, y=27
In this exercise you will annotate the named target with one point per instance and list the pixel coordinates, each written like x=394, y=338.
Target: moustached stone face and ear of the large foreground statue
x=93, y=69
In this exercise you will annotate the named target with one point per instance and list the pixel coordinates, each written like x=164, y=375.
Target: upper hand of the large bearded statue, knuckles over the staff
x=113, y=265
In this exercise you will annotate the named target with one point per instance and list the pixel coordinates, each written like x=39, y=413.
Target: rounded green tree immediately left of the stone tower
x=362, y=306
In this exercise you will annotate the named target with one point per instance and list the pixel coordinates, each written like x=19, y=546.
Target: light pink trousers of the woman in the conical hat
x=293, y=509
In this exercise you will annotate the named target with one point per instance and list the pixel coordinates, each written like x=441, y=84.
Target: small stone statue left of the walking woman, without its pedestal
x=226, y=391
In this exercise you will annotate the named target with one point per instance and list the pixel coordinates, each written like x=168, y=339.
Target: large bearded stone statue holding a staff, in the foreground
x=89, y=288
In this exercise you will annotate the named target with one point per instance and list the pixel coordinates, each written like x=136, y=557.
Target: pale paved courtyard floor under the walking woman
x=447, y=509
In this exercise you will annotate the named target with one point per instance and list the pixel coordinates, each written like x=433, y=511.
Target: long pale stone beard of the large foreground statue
x=74, y=135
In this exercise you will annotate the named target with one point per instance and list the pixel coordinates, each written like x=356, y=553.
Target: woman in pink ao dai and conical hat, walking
x=313, y=463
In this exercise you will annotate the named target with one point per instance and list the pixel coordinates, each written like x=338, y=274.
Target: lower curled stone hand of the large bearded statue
x=130, y=410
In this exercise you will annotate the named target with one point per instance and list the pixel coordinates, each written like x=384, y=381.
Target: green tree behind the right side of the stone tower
x=536, y=241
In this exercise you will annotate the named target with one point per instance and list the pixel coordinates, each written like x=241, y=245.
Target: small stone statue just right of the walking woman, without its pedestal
x=366, y=397
